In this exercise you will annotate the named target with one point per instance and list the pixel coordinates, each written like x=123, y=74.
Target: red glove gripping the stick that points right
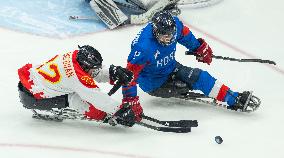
x=204, y=52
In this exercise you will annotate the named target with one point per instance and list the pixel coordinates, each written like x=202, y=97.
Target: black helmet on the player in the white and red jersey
x=89, y=58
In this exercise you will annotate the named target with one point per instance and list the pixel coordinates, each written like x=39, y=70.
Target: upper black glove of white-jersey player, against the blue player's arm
x=117, y=73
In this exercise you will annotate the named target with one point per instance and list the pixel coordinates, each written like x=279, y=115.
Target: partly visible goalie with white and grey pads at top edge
x=118, y=12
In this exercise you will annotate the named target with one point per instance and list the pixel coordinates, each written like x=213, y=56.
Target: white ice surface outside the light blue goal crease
x=241, y=29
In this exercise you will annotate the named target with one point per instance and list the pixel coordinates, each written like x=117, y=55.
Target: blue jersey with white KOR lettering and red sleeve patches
x=152, y=62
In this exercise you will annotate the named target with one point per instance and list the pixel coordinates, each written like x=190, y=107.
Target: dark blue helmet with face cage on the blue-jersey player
x=164, y=24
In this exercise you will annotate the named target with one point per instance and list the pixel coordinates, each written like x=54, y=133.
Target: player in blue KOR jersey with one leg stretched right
x=152, y=61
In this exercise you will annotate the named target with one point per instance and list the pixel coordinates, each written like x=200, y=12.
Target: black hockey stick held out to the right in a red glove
x=235, y=59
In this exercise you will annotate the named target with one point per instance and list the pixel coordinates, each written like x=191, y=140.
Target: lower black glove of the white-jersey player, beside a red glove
x=125, y=116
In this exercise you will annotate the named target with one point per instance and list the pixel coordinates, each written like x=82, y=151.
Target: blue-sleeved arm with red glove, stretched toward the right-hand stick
x=198, y=47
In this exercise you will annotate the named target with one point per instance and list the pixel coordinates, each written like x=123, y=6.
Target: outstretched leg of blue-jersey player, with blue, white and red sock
x=198, y=79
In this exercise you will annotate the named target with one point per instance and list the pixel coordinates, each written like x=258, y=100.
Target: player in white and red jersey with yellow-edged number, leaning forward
x=70, y=80
